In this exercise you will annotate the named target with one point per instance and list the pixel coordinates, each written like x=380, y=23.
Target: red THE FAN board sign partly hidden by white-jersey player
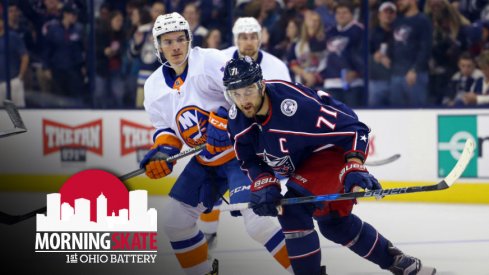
x=135, y=138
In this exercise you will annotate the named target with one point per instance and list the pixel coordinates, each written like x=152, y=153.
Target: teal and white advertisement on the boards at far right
x=453, y=131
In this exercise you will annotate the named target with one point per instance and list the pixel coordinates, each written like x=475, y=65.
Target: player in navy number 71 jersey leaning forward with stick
x=320, y=144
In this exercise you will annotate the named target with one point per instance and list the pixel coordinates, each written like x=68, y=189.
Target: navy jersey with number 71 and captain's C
x=300, y=122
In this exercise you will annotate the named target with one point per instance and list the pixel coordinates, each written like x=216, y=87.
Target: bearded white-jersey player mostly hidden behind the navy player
x=247, y=41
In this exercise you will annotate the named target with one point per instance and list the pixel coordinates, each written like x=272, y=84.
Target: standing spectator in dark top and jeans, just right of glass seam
x=380, y=74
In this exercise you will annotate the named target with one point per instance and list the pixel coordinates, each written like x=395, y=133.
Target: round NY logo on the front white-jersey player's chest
x=192, y=123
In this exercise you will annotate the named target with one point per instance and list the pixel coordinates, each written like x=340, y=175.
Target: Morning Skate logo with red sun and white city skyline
x=94, y=219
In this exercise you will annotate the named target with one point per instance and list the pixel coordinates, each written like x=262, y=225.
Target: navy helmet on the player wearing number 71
x=242, y=72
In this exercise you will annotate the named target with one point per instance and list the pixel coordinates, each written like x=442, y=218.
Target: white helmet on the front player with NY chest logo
x=170, y=22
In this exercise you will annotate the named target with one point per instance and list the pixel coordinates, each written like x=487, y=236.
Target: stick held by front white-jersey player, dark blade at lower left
x=13, y=219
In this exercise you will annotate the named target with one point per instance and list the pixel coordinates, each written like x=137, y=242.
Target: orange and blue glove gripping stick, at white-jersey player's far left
x=154, y=163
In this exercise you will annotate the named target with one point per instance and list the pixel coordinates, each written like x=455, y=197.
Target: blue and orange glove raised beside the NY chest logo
x=217, y=135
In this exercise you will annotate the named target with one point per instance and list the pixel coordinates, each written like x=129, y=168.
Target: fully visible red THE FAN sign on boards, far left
x=72, y=141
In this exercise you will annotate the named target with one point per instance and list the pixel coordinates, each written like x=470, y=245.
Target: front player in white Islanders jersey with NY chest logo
x=184, y=99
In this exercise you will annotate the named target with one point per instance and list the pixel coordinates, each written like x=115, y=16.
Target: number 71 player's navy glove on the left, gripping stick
x=265, y=195
